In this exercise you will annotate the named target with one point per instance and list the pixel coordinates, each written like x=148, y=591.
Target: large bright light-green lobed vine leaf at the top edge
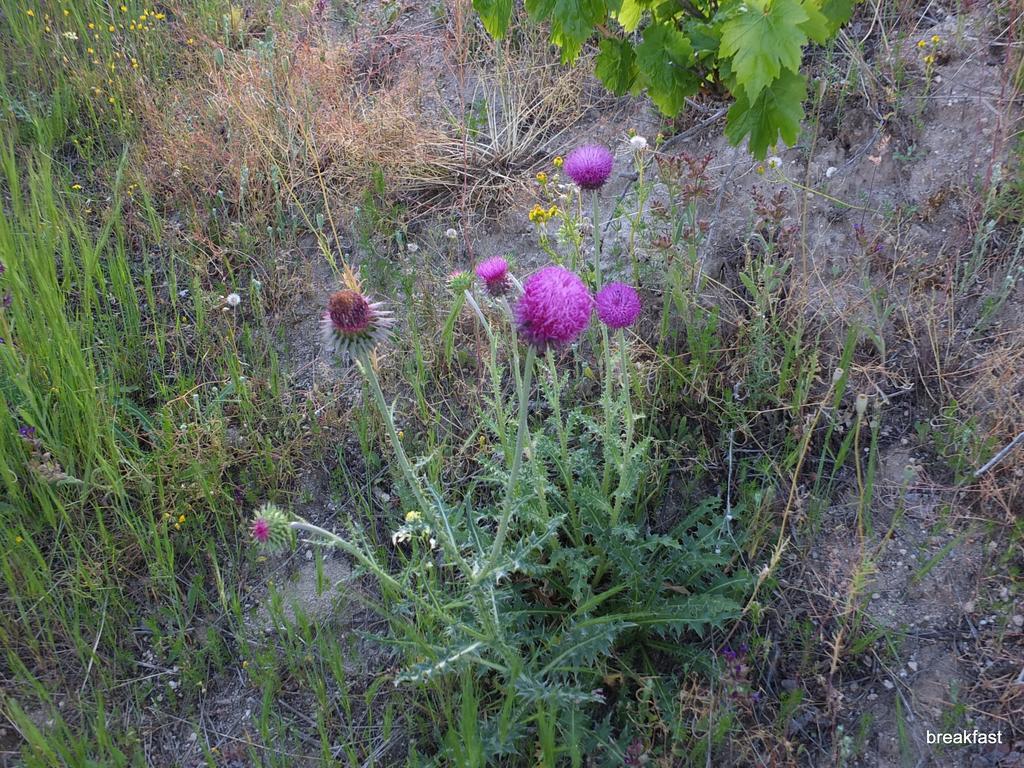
x=762, y=40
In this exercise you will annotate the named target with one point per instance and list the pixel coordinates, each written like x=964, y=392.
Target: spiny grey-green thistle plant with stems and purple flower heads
x=561, y=510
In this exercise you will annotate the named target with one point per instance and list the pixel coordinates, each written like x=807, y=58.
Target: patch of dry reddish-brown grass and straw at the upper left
x=315, y=127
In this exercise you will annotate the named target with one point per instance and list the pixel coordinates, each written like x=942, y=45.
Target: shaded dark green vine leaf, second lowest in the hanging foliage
x=666, y=63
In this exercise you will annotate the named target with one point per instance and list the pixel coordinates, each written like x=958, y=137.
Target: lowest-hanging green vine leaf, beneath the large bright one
x=777, y=112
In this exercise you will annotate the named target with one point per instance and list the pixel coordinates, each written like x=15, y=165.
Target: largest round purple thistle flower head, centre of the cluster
x=554, y=309
